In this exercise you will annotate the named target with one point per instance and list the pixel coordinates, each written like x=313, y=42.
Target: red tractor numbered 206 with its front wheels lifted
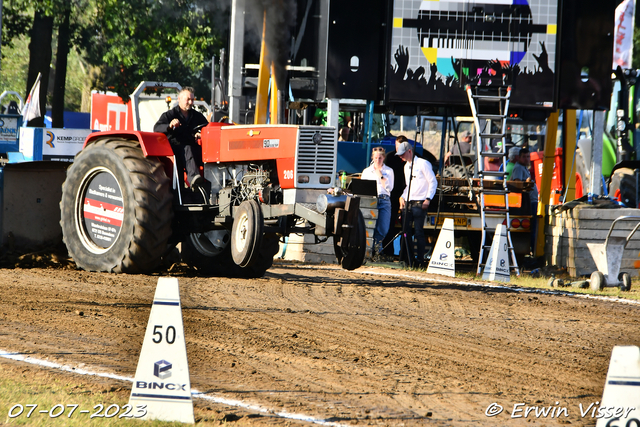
x=124, y=206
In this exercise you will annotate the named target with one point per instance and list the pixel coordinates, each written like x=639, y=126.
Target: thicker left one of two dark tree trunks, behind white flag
x=40, y=60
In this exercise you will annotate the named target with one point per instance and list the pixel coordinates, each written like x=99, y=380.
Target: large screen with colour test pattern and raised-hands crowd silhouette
x=438, y=47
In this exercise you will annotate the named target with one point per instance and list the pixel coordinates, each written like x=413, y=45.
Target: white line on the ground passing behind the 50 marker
x=194, y=393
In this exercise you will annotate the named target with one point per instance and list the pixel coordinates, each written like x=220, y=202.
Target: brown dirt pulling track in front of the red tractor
x=347, y=347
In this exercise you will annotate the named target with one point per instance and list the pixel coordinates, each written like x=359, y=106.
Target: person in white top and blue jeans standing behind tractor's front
x=384, y=177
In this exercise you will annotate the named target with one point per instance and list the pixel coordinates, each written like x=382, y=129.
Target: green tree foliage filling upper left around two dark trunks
x=118, y=43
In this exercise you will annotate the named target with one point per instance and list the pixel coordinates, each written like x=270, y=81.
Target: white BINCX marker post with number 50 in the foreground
x=162, y=378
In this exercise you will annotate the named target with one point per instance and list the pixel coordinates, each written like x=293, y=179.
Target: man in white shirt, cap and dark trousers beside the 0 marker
x=417, y=195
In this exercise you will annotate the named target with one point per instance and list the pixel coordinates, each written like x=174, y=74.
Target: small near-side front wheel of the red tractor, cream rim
x=246, y=234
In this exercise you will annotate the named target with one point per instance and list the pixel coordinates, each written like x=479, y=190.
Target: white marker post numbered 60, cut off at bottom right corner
x=621, y=395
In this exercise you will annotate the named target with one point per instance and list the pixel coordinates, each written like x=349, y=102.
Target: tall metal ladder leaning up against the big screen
x=494, y=102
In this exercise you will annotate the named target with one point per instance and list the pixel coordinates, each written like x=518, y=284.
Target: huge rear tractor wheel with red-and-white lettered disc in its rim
x=116, y=208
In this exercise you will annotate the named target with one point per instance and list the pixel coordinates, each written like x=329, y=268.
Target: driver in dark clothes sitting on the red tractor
x=179, y=125
